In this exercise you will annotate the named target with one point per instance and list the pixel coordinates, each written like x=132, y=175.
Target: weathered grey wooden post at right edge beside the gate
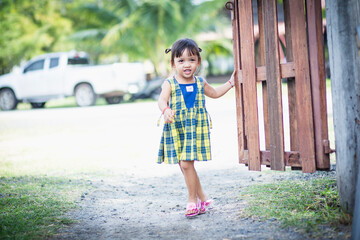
x=342, y=17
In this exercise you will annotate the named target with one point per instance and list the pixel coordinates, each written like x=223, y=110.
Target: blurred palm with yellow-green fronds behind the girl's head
x=153, y=26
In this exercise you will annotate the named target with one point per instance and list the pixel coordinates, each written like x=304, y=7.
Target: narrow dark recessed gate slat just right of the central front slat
x=290, y=80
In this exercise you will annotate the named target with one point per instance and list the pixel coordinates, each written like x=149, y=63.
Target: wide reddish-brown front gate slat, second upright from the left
x=247, y=50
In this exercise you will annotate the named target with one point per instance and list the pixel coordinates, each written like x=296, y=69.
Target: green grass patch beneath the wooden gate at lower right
x=306, y=205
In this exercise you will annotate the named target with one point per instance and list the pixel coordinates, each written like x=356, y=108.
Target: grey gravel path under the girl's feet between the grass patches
x=132, y=207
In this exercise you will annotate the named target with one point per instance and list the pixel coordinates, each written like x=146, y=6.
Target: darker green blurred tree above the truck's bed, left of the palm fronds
x=92, y=21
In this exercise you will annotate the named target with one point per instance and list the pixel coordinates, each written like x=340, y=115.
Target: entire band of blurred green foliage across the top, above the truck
x=133, y=30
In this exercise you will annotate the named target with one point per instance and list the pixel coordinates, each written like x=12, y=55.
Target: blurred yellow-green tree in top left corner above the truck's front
x=30, y=28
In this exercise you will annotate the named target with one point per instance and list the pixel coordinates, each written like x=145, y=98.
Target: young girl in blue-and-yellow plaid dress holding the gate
x=186, y=135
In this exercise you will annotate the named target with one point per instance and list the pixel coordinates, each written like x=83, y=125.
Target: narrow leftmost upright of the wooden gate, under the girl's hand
x=238, y=82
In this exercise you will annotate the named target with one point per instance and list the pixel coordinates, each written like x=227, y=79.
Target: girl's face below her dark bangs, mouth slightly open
x=186, y=66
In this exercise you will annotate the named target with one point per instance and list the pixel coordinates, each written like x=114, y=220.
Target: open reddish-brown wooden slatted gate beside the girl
x=262, y=78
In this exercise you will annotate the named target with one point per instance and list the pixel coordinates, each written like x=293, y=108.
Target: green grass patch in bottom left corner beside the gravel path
x=33, y=207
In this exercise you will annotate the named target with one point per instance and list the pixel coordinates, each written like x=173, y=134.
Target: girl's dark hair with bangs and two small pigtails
x=179, y=47
